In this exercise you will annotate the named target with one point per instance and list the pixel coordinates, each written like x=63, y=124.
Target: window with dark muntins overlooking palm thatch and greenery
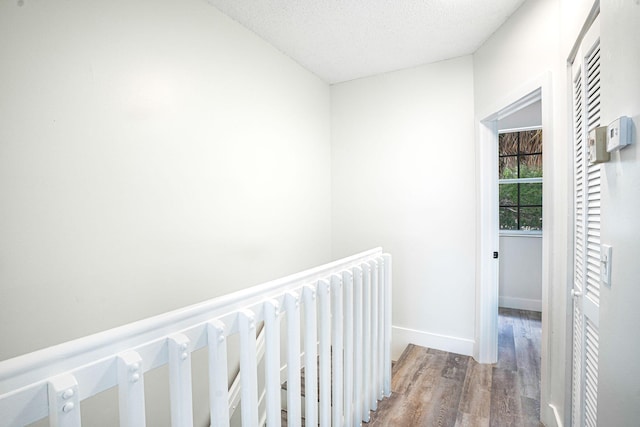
x=520, y=180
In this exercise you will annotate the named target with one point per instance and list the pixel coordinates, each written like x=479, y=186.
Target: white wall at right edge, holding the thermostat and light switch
x=619, y=371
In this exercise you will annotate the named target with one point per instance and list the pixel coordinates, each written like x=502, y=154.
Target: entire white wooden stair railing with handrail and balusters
x=338, y=313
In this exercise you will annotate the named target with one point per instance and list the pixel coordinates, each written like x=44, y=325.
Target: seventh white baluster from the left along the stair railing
x=294, y=411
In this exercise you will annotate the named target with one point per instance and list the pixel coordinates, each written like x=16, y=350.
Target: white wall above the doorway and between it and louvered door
x=523, y=50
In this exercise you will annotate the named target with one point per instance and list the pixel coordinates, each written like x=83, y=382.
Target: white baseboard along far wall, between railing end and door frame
x=401, y=337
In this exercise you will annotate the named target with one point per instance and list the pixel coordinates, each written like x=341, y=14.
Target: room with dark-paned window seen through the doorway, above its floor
x=520, y=206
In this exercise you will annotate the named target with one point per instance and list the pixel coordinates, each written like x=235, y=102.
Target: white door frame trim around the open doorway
x=488, y=243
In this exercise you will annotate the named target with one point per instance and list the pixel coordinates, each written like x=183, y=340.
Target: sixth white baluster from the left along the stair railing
x=272, y=362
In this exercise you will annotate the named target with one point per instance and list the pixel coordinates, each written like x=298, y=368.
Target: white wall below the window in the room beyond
x=521, y=272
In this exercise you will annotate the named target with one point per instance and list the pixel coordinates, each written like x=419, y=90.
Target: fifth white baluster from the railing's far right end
x=358, y=331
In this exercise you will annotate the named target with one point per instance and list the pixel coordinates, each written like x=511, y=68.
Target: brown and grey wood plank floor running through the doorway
x=436, y=388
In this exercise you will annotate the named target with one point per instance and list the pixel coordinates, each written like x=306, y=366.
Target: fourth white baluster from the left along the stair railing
x=218, y=376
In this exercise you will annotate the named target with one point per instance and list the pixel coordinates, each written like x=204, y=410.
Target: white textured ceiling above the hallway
x=341, y=40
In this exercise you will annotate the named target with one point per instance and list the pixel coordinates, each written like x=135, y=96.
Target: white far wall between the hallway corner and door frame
x=403, y=178
